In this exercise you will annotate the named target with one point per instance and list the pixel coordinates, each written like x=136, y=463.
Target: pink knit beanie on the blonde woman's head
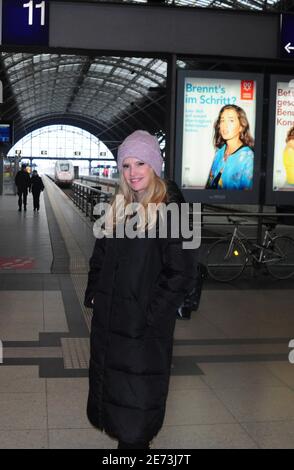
x=144, y=147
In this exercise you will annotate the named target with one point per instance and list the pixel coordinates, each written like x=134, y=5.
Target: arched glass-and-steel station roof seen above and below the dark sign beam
x=108, y=96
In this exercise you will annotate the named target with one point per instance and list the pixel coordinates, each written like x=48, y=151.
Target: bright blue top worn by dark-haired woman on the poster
x=236, y=172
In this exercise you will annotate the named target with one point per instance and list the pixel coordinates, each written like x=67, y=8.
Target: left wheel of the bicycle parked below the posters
x=225, y=261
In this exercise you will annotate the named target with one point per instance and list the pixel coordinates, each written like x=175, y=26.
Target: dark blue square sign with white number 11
x=25, y=22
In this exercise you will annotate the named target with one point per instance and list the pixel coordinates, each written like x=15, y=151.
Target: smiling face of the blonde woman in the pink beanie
x=137, y=174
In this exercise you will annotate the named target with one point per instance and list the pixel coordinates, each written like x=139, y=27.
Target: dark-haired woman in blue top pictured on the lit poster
x=232, y=167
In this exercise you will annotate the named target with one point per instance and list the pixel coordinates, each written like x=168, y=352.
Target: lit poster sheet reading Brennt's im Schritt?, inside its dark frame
x=219, y=115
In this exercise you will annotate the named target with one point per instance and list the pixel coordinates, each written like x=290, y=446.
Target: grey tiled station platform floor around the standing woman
x=232, y=384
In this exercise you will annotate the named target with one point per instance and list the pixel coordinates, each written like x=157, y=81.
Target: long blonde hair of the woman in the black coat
x=146, y=210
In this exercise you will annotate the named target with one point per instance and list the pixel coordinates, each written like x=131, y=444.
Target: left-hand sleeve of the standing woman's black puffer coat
x=96, y=261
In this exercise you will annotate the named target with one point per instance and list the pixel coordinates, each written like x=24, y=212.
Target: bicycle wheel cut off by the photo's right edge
x=279, y=257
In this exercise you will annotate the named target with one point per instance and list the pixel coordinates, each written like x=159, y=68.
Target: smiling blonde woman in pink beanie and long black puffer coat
x=135, y=286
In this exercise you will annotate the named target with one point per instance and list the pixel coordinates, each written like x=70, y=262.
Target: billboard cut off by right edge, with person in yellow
x=280, y=169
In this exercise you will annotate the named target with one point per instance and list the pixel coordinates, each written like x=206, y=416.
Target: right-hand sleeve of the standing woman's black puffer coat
x=176, y=279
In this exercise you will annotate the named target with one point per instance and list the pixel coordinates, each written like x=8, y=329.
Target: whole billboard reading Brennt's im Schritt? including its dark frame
x=218, y=136
